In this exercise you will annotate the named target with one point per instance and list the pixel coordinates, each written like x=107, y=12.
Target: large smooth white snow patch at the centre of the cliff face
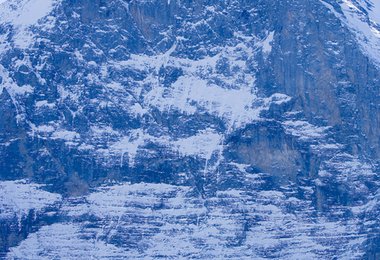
x=193, y=95
